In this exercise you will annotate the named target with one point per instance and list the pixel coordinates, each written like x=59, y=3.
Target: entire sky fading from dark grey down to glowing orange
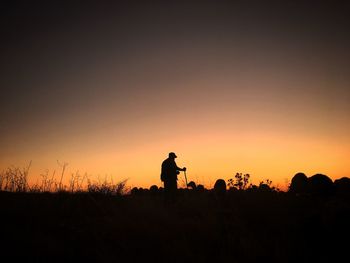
x=111, y=88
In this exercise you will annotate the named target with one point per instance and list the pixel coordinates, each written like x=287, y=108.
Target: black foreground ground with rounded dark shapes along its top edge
x=309, y=223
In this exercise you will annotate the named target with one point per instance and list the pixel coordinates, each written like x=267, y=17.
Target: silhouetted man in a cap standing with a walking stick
x=169, y=173
